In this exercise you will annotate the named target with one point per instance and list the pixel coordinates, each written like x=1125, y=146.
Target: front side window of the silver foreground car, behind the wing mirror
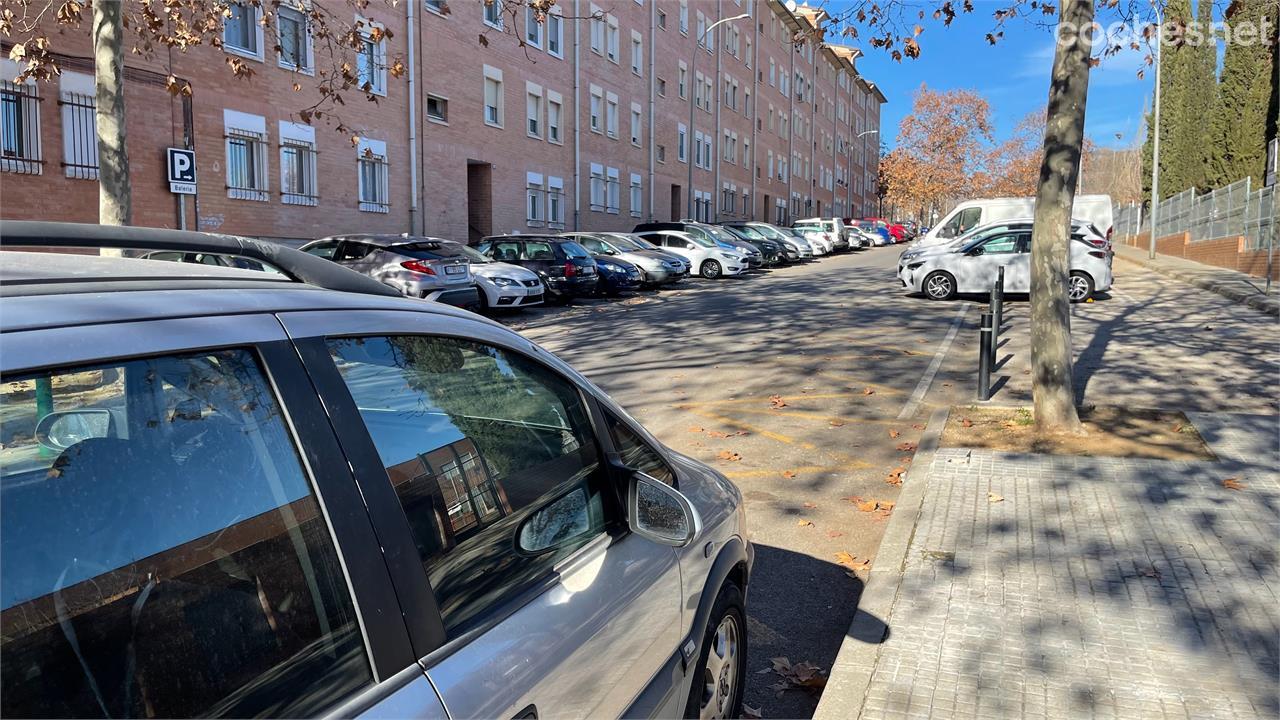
x=493, y=459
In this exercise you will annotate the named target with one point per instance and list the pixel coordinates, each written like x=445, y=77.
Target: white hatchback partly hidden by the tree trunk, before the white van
x=972, y=268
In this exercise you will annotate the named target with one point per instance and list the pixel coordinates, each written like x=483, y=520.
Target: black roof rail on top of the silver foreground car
x=295, y=265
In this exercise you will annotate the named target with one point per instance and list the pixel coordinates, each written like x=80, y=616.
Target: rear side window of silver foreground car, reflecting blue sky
x=164, y=554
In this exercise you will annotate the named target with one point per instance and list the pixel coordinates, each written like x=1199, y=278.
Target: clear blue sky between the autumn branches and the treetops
x=1013, y=76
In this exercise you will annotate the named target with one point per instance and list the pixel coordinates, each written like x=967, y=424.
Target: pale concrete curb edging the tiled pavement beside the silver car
x=852, y=673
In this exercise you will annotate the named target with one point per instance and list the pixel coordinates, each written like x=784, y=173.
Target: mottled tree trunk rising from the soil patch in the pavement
x=1064, y=135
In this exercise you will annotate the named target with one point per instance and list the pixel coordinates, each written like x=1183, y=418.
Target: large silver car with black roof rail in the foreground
x=253, y=496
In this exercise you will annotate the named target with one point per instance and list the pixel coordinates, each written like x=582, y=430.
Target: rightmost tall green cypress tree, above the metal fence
x=1241, y=122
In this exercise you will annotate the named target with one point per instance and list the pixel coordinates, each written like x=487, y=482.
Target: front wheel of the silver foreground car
x=720, y=676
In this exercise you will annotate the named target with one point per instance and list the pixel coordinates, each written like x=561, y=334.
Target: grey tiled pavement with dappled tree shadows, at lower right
x=1095, y=589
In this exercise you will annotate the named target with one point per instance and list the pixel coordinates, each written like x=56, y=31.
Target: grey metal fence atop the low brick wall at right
x=1227, y=212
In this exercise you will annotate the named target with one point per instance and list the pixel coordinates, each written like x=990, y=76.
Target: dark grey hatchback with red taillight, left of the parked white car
x=419, y=267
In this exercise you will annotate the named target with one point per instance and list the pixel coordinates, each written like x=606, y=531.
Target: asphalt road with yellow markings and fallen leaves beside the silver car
x=820, y=367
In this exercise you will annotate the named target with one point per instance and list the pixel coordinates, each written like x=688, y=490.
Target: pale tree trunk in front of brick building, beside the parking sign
x=116, y=197
